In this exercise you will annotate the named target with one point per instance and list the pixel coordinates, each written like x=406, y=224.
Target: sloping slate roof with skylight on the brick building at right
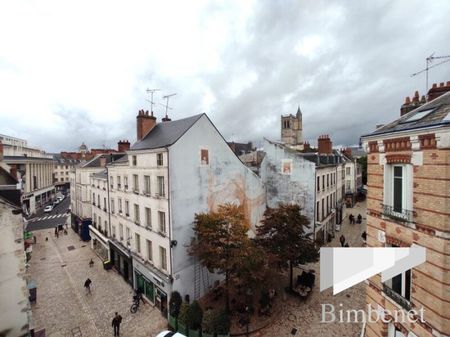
x=437, y=117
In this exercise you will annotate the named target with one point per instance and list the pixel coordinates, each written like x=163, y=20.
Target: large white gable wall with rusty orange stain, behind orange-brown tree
x=198, y=185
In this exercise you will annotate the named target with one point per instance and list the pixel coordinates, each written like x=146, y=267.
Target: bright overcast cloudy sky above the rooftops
x=78, y=71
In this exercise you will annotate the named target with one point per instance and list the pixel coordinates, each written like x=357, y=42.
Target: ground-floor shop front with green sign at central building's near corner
x=153, y=284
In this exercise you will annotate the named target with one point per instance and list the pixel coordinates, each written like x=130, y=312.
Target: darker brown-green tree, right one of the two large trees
x=283, y=235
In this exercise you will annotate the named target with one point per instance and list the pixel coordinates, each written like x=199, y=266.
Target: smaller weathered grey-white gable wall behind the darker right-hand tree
x=298, y=187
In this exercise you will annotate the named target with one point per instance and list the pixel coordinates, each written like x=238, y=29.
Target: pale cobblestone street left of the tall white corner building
x=64, y=309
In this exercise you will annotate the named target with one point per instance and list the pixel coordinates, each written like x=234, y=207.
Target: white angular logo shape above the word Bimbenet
x=342, y=268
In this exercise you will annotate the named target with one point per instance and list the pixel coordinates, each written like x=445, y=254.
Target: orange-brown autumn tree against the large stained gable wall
x=221, y=238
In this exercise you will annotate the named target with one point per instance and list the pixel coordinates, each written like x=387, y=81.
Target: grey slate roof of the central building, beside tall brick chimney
x=166, y=133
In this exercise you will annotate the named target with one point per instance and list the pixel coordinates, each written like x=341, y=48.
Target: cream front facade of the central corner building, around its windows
x=151, y=238
